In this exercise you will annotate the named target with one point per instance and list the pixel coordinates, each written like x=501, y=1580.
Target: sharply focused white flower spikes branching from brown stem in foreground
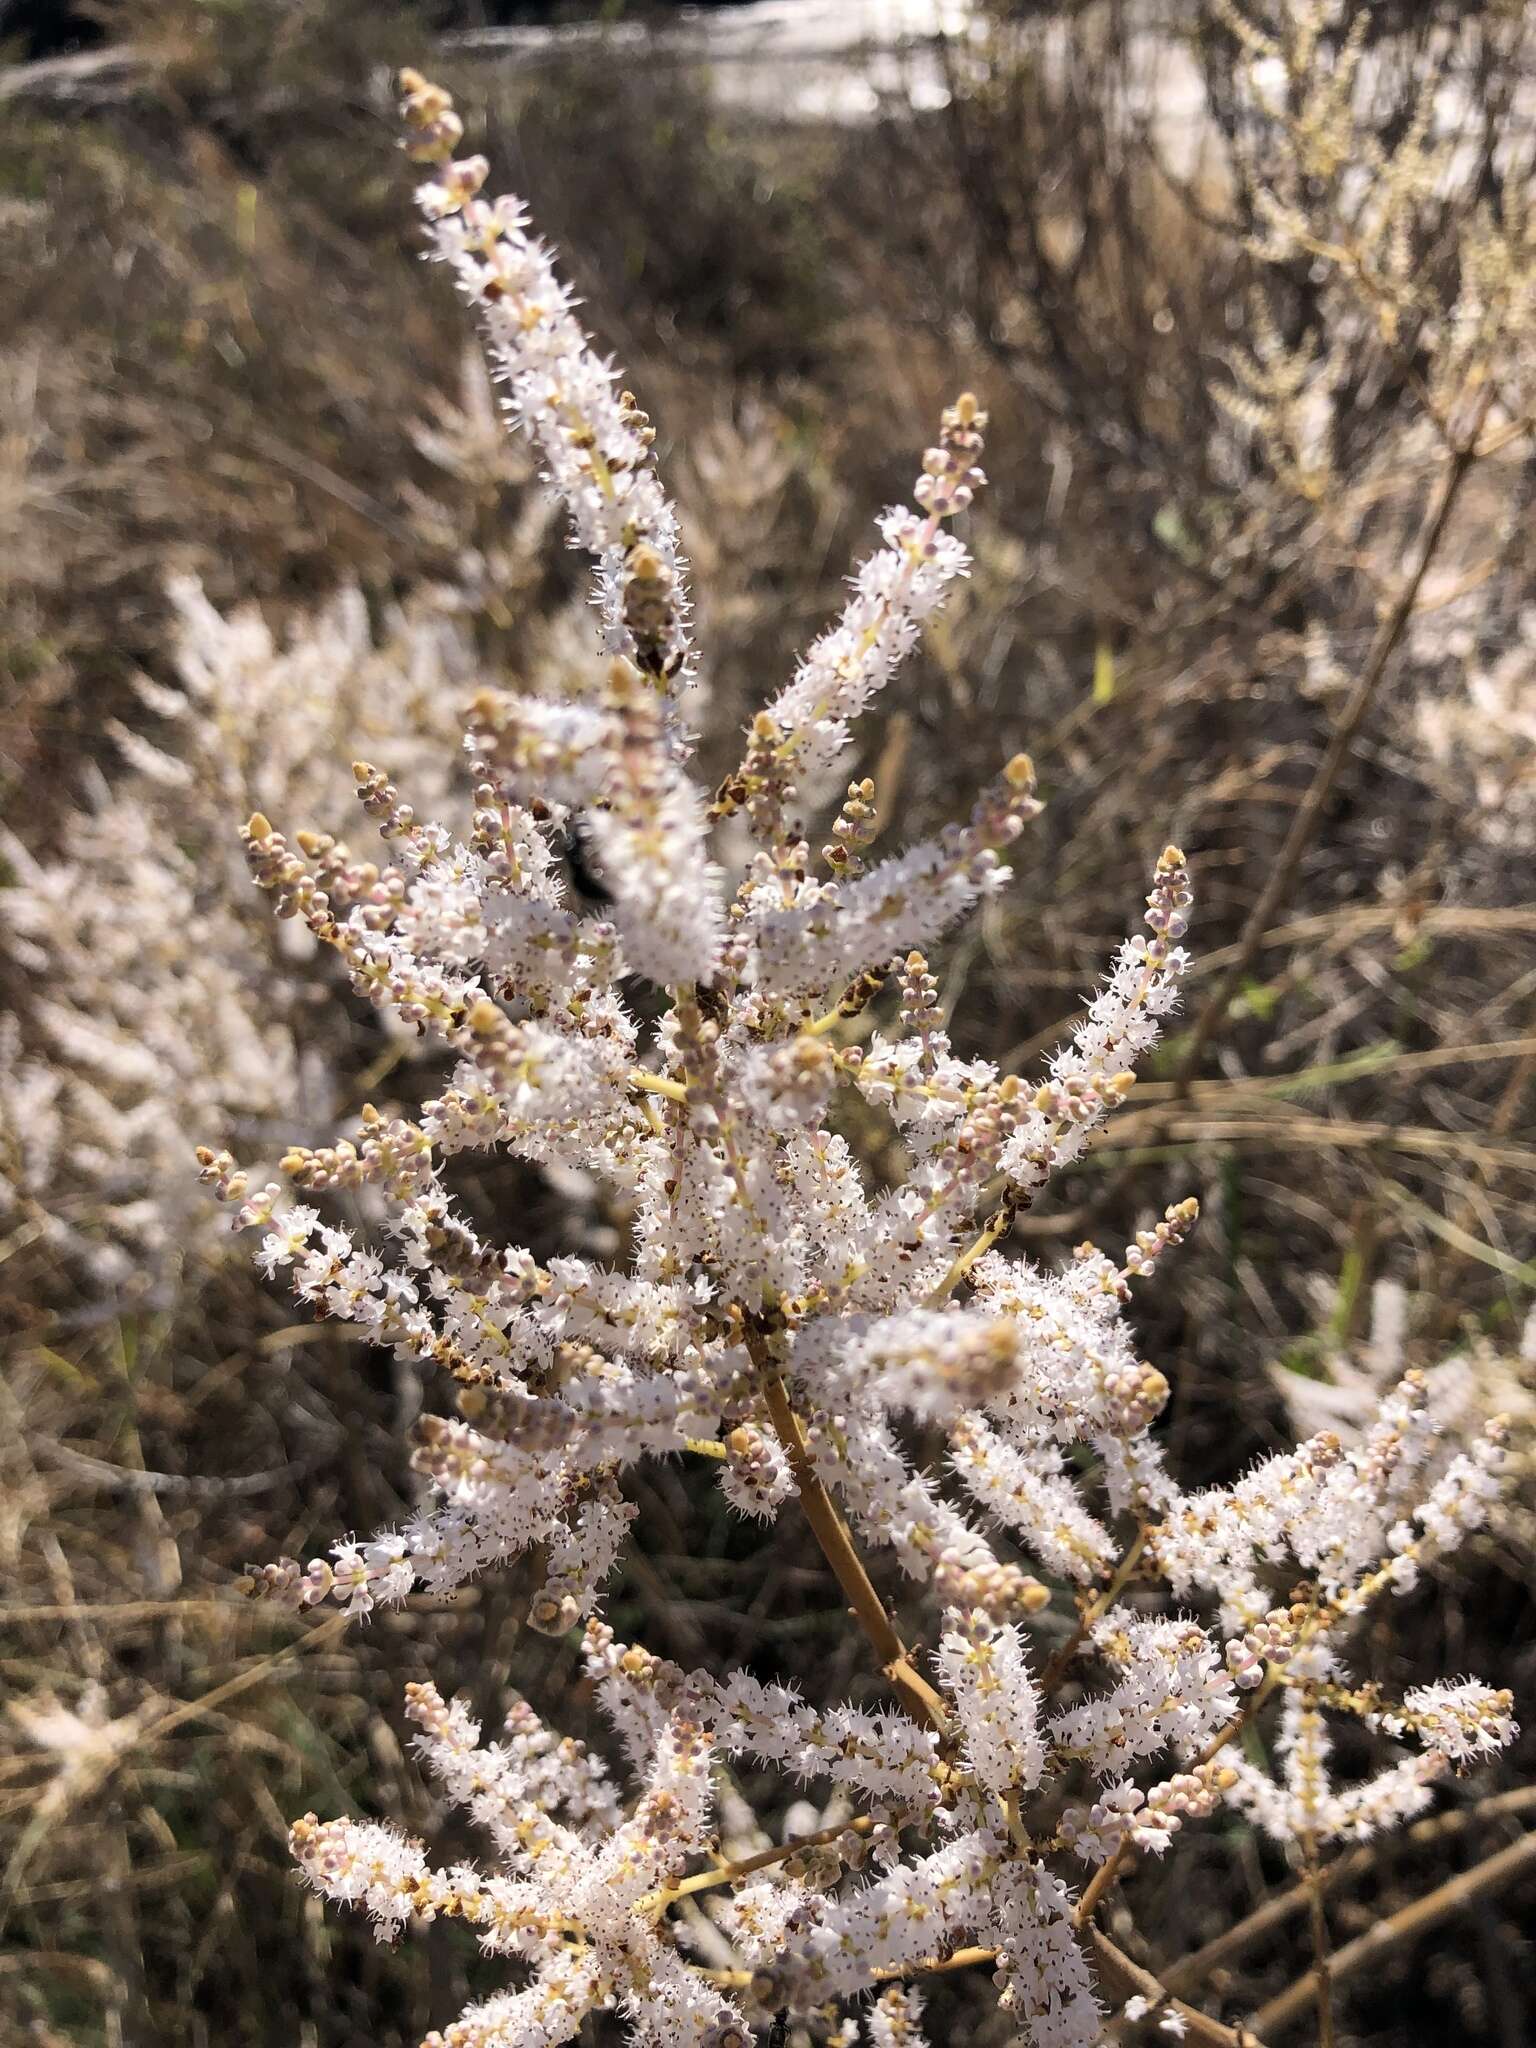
x=792, y=1324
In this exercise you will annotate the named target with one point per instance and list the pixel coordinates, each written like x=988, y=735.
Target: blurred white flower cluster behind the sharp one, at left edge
x=157, y=1000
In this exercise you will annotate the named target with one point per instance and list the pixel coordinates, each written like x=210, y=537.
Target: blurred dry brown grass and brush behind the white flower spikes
x=220, y=359
